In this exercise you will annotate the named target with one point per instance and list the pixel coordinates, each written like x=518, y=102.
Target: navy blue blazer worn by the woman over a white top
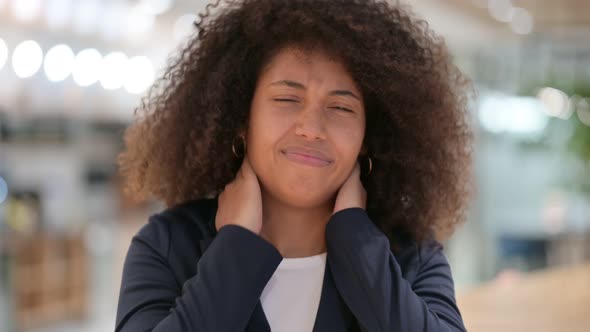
x=180, y=274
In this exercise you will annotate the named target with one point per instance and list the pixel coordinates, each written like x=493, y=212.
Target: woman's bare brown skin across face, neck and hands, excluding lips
x=313, y=101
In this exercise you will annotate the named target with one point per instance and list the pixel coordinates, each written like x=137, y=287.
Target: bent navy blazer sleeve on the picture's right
x=370, y=279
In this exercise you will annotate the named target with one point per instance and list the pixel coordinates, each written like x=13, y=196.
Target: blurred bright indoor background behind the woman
x=71, y=73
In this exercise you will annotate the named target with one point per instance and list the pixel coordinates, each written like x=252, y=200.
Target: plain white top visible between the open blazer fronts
x=291, y=297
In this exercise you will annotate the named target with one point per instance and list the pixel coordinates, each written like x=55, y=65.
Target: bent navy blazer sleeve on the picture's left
x=231, y=275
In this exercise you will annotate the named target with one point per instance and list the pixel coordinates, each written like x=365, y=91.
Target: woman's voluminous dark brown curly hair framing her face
x=417, y=129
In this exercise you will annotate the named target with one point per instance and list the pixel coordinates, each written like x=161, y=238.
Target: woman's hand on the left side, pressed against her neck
x=240, y=202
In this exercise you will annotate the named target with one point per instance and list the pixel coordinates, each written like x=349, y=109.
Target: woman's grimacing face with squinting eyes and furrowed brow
x=306, y=127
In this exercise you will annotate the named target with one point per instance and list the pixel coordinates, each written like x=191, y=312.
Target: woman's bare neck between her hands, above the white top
x=294, y=231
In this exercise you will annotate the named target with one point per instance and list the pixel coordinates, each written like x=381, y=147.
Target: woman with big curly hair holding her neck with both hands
x=261, y=139
